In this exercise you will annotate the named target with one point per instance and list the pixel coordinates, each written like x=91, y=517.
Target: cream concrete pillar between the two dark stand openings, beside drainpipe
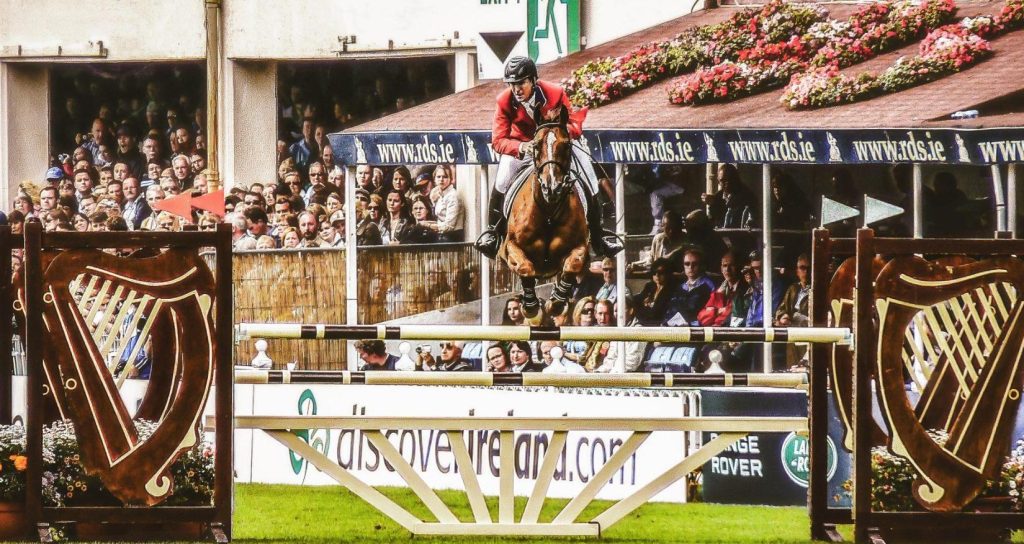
x=249, y=123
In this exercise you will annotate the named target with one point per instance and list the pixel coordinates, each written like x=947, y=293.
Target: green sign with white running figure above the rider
x=552, y=29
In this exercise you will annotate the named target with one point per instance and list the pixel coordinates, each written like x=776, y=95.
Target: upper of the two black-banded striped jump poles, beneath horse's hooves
x=507, y=333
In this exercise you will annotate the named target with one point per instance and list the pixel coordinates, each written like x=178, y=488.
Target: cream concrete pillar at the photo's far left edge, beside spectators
x=24, y=127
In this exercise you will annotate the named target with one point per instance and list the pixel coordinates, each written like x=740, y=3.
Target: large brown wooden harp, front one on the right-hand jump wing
x=956, y=334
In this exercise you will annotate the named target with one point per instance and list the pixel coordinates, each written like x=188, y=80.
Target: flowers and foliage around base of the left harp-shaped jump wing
x=65, y=481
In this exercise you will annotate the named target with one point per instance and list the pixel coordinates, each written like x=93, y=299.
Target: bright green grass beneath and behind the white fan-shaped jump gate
x=290, y=514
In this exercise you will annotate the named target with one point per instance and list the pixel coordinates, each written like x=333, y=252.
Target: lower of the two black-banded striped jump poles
x=248, y=375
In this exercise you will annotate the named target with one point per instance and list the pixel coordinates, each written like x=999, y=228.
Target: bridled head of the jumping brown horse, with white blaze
x=553, y=154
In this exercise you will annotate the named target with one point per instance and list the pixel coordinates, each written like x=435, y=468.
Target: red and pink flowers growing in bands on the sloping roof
x=799, y=47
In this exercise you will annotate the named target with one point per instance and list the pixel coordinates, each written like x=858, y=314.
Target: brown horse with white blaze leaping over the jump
x=547, y=226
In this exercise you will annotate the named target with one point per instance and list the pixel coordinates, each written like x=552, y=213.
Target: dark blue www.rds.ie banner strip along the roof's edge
x=997, y=146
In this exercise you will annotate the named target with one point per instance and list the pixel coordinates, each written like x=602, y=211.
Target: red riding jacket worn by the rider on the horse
x=514, y=124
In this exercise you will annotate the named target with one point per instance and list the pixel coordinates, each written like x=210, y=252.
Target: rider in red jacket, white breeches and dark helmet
x=520, y=109
